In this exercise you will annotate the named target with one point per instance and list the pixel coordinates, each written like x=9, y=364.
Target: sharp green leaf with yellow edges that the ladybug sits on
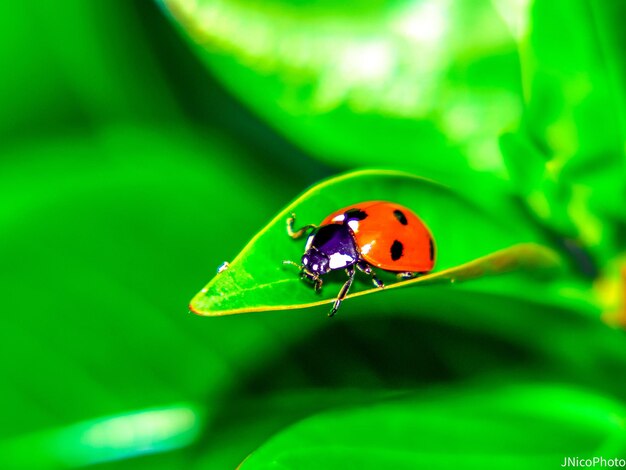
x=466, y=237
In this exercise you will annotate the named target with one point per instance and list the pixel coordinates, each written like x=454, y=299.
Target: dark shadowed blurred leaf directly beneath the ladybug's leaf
x=379, y=347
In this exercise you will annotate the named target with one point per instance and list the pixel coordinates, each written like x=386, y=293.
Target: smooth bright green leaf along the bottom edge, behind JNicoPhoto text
x=514, y=426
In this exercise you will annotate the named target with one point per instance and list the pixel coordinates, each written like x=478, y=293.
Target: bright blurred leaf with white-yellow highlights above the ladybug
x=405, y=82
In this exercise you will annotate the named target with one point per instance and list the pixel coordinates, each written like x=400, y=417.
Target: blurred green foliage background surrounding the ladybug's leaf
x=142, y=144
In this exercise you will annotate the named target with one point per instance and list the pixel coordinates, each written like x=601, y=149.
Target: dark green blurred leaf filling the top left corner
x=68, y=73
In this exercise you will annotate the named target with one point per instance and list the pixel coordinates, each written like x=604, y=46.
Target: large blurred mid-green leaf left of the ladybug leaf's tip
x=93, y=227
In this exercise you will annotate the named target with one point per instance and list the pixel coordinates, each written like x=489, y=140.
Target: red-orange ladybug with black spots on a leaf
x=370, y=234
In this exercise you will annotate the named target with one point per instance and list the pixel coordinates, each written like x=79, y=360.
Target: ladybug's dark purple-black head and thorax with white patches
x=330, y=247
